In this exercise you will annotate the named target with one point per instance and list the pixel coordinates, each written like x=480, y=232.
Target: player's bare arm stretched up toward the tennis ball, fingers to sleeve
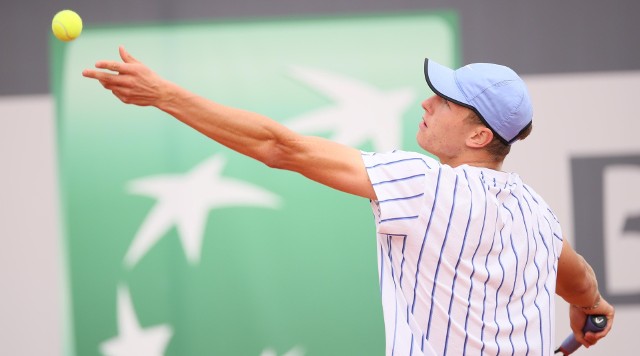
x=254, y=135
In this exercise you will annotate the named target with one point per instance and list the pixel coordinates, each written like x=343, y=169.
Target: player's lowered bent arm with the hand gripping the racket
x=577, y=285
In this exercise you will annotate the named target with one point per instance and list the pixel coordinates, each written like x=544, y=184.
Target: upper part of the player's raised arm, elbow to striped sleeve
x=329, y=163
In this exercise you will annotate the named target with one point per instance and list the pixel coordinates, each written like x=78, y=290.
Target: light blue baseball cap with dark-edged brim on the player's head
x=494, y=92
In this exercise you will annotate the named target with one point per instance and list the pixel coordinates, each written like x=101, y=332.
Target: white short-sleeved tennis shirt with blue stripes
x=467, y=258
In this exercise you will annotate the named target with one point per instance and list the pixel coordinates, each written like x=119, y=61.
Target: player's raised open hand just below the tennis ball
x=132, y=82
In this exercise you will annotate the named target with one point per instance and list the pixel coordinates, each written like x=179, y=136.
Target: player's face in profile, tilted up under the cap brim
x=444, y=128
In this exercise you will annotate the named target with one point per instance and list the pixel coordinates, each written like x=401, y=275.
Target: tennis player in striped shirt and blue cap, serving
x=470, y=257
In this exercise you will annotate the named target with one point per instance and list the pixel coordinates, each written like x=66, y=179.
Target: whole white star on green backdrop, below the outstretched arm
x=185, y=201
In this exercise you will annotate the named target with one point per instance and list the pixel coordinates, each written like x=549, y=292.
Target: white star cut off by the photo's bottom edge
x=132, y=340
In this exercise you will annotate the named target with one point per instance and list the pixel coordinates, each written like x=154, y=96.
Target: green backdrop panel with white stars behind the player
x=176, y=245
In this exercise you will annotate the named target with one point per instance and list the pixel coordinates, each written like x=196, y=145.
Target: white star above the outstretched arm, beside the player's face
x=361, y=111
